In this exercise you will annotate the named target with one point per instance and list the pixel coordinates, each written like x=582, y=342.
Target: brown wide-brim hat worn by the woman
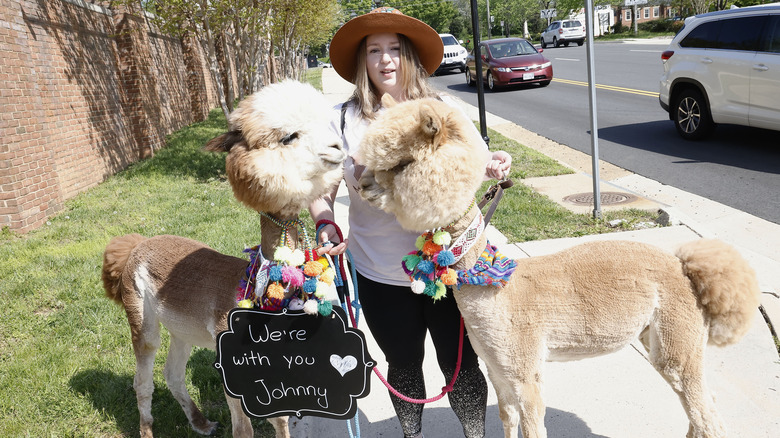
x=344, y=45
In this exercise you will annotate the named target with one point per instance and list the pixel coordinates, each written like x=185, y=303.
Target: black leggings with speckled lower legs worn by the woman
x=398, y=320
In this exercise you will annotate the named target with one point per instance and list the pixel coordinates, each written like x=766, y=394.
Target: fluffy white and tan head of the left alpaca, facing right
x=282, y=154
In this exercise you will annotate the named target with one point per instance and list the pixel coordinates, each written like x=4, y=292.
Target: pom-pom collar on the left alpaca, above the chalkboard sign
x=294, y=280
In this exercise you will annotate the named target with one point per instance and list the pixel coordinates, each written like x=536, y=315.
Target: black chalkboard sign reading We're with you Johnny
x=291, y=363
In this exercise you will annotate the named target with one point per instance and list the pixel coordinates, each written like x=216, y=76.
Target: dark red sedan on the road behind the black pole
x=508, y=61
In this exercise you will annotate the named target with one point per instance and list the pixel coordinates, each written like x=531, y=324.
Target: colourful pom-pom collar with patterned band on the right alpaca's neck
x=428, y=267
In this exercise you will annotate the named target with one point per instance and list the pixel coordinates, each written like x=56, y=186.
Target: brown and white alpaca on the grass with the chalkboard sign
x=281, y=157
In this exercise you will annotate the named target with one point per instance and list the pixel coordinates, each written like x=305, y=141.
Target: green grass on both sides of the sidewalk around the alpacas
x=66, y=361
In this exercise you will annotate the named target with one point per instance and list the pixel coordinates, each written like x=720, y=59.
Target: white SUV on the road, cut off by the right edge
x=723, y=67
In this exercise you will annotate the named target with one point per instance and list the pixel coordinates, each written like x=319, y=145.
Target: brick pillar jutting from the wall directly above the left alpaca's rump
x=138, y=82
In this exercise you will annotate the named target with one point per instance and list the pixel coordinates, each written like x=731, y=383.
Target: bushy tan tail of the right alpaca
x=726, y=285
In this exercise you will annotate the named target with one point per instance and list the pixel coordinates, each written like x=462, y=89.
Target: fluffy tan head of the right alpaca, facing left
x=423, y=163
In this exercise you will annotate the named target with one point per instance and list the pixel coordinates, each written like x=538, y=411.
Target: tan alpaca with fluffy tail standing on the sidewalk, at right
x=587, y=301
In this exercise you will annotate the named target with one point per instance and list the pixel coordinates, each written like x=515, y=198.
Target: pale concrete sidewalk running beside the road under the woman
x=618, y=395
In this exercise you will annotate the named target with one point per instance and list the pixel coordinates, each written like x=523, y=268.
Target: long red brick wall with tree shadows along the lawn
x=84, y=92
